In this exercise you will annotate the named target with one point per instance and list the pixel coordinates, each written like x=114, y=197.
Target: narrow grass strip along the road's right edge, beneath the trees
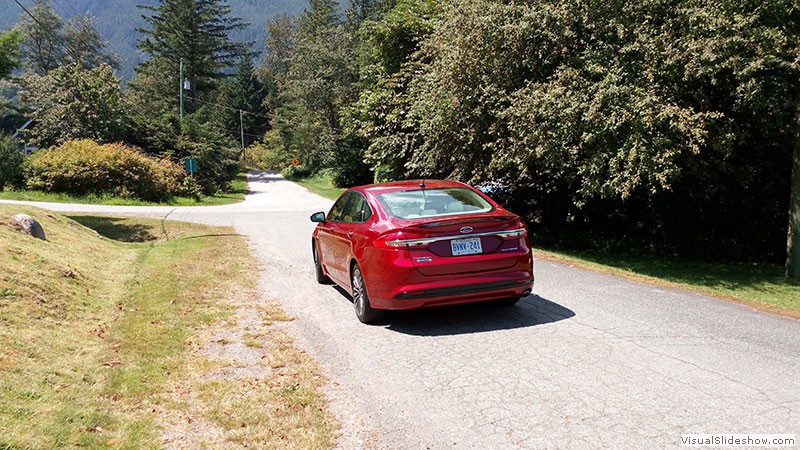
x=762, y=286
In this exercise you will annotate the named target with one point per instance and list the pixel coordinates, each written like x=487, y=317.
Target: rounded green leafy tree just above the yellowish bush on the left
x=72, y=103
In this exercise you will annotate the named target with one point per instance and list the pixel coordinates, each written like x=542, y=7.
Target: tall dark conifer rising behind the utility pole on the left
x=197, y=33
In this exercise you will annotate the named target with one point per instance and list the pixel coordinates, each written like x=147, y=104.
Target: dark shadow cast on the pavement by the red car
x=473, y=318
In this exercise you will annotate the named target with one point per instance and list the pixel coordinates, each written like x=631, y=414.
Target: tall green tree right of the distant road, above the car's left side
x=319, y=83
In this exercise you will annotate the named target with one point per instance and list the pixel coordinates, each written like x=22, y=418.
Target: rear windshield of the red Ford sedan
x=433, y=203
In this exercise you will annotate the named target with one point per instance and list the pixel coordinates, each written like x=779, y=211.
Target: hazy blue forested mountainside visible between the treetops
x=117, y=21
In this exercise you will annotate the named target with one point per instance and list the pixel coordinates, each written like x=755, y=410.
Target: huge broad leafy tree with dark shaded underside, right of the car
x=626, y=117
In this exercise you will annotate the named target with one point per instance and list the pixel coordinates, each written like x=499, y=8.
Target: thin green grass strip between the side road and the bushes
x=236, y=194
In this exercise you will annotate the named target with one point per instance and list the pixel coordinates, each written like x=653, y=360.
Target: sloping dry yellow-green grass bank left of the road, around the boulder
x=103, y=338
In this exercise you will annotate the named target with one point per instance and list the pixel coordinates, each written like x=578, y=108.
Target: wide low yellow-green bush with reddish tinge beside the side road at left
x=84, y=167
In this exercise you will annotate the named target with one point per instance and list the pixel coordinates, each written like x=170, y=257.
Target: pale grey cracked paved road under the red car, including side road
x=590, y=361
